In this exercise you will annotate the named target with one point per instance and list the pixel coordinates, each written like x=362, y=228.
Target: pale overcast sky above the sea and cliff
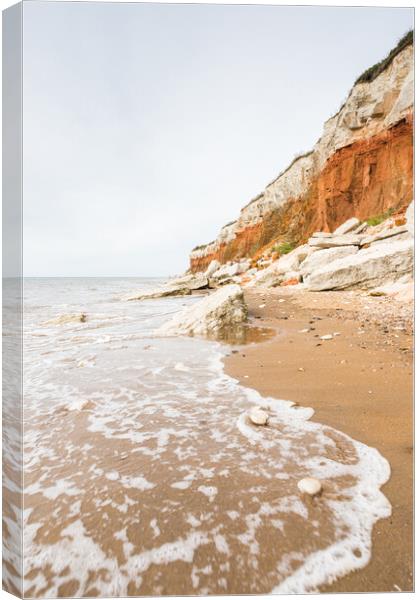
x=147, y=127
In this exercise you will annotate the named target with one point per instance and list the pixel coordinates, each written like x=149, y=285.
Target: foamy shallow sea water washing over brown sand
x=143, y=475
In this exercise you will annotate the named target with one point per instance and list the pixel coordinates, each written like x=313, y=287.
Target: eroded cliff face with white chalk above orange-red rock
x=361, y=166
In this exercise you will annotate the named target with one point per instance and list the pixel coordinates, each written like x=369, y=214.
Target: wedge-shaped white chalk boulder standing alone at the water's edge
x=220, y=310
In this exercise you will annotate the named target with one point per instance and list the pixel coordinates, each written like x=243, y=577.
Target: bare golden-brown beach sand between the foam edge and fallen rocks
x=360, y=383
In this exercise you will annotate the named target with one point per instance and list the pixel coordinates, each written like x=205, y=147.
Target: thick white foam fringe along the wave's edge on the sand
x=356, y=514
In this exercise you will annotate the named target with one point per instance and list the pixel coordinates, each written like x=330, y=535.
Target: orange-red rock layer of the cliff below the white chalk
x=362, y=179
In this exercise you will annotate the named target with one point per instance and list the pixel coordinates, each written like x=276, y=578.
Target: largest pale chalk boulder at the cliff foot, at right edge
x=366, y=269
